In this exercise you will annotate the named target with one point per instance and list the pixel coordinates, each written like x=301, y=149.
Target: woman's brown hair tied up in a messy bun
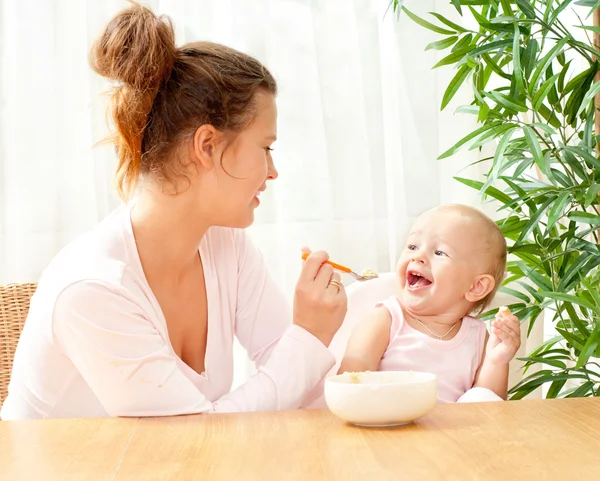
x=165, y=93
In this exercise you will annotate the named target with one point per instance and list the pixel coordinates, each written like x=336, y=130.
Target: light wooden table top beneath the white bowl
x=523, y=440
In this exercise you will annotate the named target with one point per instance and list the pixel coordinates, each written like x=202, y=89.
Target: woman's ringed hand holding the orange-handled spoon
x=320, y=301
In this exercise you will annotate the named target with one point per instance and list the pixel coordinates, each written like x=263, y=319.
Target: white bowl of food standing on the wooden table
x=388, y=398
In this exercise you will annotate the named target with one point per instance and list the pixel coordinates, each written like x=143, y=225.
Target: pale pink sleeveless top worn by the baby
x=454, y=362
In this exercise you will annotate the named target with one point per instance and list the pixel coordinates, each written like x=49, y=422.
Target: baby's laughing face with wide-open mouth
x=443, y=256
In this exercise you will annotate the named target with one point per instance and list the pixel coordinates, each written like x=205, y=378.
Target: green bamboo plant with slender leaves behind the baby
x=535, y=102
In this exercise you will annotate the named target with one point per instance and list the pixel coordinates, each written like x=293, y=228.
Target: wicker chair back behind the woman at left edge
x=14, y=305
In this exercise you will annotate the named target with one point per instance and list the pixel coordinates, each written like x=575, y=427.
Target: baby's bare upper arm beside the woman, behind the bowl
x=368, y=342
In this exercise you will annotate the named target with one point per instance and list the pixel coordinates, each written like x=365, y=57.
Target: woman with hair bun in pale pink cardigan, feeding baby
x=138, y=317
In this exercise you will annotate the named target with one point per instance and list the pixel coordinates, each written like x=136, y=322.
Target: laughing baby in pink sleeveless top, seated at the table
x=452, y=266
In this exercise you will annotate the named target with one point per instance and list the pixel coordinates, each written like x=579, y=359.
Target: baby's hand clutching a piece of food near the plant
x=505, y=337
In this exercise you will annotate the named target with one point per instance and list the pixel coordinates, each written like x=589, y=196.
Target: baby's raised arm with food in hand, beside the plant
x=499, y=350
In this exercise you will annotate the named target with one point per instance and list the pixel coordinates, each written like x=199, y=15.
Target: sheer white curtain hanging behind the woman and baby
x=359, y=125
